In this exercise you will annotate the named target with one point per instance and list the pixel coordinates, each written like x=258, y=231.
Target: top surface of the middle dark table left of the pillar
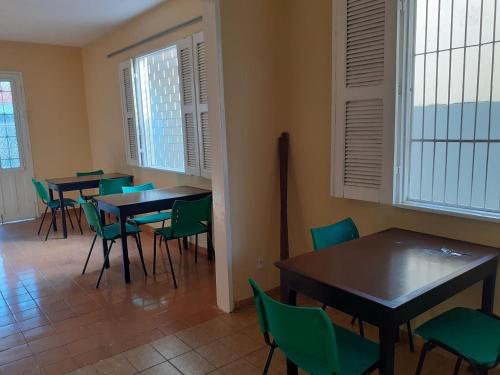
x=149, y=198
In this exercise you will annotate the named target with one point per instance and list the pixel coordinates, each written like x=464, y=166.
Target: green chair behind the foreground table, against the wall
x=337, y=233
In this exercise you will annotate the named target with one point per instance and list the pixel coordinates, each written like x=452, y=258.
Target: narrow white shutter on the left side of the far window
x=128, y=108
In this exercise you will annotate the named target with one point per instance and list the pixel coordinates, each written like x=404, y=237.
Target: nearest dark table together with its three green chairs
x=385, y=279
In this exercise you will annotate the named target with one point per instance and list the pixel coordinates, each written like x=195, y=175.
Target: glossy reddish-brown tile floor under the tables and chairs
x=53, y=321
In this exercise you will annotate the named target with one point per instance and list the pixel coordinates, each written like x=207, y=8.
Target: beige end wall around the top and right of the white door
x=55, y=102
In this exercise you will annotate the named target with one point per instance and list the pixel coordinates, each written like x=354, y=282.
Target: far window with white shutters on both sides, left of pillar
x=165, y=105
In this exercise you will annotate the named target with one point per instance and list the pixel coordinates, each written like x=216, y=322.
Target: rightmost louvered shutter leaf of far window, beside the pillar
x=201, y=84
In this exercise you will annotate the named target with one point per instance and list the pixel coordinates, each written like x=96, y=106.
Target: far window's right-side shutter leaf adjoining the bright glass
x=188, y=104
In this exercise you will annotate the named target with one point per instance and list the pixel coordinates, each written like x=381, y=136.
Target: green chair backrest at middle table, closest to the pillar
x=187, y=213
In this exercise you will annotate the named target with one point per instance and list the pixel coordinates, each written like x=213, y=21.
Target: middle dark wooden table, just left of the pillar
x=126, y=205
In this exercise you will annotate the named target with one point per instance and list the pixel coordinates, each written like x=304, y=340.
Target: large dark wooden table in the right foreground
x=388, y=278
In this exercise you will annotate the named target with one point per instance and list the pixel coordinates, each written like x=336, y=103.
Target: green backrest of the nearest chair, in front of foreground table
x=304, y=334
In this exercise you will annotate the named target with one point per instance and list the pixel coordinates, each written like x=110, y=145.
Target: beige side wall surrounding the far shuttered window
x=102, y=86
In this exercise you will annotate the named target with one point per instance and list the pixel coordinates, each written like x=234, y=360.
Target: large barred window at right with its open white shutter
x=417, y=104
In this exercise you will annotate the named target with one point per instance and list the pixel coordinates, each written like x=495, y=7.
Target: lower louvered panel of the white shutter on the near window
x=363, y=143
